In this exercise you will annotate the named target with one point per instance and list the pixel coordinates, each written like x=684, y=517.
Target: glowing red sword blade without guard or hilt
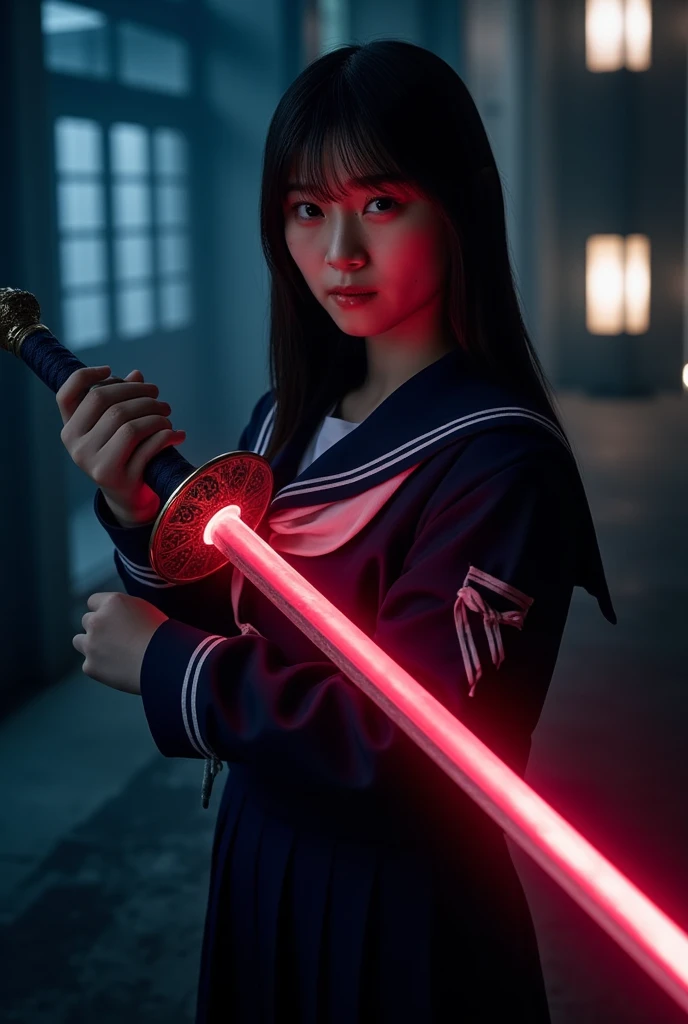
x=648, y=934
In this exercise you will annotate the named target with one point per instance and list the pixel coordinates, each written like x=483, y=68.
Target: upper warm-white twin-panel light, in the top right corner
x=619, y=34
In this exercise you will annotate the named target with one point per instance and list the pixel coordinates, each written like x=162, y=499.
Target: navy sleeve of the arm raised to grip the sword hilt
x=204, y=604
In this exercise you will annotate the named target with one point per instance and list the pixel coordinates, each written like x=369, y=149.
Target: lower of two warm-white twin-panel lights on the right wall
x=618, y=284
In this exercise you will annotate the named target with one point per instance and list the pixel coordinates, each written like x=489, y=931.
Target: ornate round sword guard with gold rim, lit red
x=178, y=550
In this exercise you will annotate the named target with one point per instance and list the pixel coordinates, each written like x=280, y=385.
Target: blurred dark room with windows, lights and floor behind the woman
x=133, y=142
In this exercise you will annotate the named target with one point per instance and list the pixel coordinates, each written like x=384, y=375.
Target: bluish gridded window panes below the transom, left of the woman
x=148, y=182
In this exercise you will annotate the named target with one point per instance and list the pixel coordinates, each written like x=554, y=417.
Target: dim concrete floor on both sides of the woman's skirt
x=105, y=851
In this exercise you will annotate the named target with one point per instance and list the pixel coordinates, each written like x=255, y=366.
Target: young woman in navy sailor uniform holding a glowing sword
x=425, y=486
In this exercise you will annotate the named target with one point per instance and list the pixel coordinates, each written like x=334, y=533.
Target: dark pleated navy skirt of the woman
x=308, y=927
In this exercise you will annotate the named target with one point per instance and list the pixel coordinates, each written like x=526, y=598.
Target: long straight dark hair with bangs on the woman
x=383, y=107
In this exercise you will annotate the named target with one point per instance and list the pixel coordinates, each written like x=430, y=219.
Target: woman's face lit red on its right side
x=383, y=237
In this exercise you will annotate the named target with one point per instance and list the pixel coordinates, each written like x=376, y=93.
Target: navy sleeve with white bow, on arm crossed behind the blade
x=240, y=700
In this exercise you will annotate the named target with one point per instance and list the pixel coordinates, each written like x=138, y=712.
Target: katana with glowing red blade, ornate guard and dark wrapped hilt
x=208, y=518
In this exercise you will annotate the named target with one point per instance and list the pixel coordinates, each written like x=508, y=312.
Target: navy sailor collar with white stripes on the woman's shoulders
x=443, y=403
